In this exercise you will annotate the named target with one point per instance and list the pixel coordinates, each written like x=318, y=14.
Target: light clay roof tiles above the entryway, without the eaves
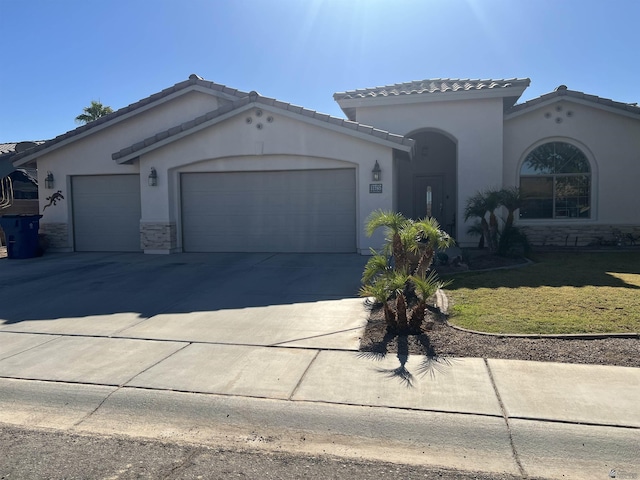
x=431, y=86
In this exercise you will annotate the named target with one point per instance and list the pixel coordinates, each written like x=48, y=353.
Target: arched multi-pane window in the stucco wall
x=555, y=181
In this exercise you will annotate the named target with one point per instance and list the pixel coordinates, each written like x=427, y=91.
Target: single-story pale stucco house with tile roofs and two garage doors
x=201, y=167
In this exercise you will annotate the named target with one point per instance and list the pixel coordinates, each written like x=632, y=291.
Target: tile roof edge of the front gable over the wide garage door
x=254, y=98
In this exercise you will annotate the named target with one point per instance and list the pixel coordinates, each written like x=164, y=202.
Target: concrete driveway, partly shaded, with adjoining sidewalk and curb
x=261, y=351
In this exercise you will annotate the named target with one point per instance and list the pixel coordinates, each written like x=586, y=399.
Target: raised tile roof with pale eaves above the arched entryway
x=439, y=89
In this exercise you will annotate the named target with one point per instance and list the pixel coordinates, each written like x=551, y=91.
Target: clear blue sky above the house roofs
x=57, y=56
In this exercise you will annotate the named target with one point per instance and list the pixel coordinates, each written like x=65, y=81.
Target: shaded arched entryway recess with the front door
x=427, y=183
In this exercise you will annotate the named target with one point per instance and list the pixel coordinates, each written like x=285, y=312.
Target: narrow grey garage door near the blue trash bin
x=106, y=213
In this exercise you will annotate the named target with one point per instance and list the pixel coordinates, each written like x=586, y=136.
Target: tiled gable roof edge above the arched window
x=562, y=93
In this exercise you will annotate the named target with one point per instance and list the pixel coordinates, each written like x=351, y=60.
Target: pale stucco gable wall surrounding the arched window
x=610, y=141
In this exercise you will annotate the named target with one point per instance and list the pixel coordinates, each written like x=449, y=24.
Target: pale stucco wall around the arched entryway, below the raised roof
x=475, y=125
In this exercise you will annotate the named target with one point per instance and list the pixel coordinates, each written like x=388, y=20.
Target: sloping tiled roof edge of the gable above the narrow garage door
x=193, y=83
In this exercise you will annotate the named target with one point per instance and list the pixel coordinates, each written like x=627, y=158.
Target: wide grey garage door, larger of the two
x=283, y=211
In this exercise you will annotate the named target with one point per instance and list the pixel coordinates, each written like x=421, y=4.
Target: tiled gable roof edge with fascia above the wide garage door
x=253, y=100
